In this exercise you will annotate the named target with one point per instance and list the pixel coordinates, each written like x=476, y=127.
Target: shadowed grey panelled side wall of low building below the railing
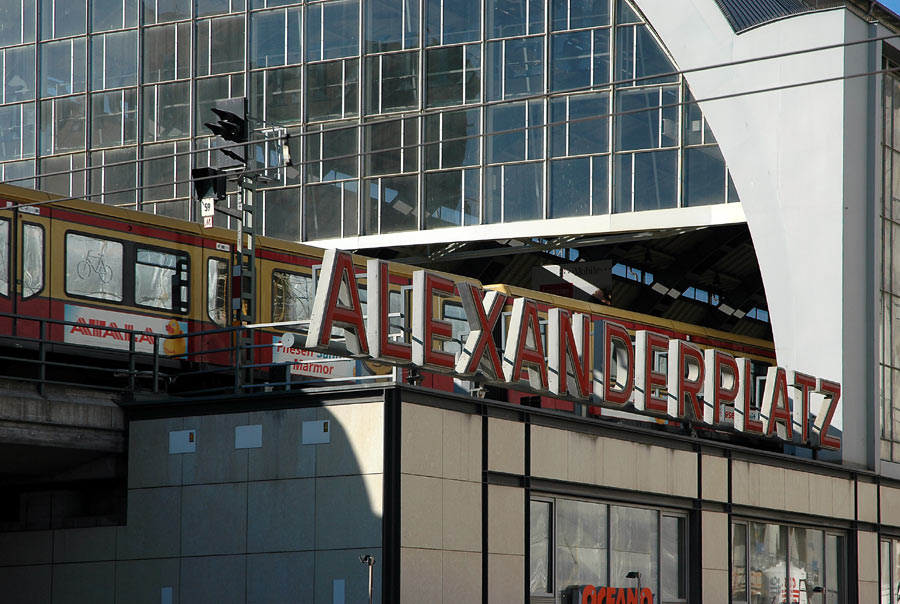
x=282, y=522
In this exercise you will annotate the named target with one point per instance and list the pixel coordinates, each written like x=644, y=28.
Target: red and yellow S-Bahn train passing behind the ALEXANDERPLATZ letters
x=82, y=278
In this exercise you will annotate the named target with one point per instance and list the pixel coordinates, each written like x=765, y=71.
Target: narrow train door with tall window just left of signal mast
x=216, y=303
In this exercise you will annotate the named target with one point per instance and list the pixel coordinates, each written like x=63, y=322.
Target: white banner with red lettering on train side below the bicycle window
x=98, y=327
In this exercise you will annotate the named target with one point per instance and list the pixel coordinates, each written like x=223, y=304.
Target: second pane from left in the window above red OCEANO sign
x=581, y=544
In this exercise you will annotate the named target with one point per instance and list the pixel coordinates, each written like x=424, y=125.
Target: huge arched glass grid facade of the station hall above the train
x=405, y=115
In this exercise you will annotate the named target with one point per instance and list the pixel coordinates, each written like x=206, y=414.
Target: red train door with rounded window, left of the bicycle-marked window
x=31, y=271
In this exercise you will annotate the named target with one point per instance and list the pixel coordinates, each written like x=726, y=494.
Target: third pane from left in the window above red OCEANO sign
x=634, y=546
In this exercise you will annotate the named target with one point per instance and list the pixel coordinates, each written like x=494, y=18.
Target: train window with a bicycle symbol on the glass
x=93, y=267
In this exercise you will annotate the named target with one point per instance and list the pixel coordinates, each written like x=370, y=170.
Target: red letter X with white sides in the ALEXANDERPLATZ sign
x=482, y=312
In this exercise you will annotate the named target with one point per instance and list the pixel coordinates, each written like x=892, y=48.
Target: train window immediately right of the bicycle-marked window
x=159, y=279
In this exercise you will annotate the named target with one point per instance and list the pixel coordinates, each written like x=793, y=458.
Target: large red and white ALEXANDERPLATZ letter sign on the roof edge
x=586, y=361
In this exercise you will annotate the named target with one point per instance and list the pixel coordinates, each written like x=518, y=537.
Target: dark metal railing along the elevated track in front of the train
x=135, y=363
